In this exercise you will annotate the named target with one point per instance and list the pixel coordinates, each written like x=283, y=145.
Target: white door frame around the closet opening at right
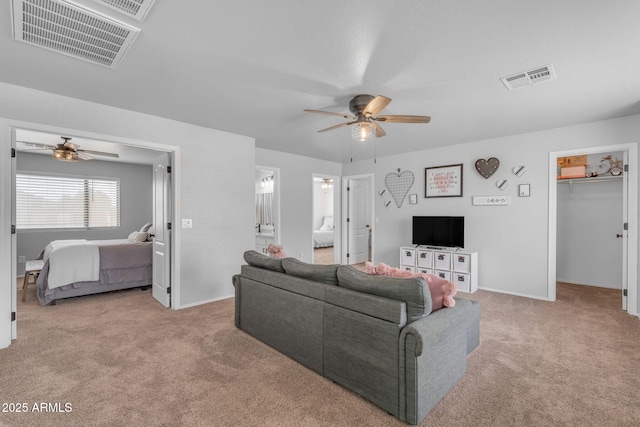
x=632, y=219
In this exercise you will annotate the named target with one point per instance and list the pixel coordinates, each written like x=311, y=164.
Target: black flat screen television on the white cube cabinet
x=439, y=231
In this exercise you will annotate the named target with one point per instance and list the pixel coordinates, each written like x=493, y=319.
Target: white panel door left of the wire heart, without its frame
x=359, y=220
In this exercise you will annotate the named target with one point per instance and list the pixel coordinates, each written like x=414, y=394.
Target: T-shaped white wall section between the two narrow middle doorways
x=296, y=197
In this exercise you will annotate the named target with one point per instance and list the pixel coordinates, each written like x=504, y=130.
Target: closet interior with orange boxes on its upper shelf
x=590, y=220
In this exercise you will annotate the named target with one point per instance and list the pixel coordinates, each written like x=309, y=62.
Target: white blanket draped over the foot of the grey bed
x=72, y=261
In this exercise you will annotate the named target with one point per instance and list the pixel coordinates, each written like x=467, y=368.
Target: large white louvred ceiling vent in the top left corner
x=71, y=30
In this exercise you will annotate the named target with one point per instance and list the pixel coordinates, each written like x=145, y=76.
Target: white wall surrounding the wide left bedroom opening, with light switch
x=215, y=171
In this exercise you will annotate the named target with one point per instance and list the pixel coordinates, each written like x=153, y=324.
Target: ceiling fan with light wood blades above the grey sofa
x=365, y=109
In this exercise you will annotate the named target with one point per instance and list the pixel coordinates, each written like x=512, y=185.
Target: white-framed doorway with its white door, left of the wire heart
x=358, y=214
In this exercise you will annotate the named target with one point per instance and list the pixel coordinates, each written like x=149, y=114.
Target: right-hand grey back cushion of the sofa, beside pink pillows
x=413, y=291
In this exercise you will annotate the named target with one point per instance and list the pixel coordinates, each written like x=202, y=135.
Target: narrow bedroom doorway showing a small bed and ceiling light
x=325, y=228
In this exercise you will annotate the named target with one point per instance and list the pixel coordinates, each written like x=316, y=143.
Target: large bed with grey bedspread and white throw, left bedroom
x=84, y=267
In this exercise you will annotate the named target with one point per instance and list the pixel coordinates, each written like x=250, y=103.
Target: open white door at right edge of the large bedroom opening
x=161, y=223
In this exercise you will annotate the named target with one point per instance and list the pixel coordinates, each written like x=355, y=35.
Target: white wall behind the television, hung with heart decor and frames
x=511, y=240
